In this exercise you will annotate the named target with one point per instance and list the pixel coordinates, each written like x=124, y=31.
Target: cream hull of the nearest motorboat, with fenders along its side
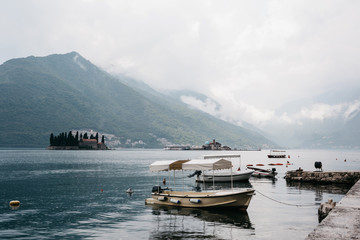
x=230, y=198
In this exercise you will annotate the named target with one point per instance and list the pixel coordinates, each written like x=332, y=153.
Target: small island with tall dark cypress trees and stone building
x=67, y=141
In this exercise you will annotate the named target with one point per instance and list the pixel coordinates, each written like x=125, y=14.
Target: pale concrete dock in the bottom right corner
x=343, y=222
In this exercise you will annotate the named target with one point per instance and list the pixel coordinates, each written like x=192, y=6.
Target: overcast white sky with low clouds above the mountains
x=252, y=57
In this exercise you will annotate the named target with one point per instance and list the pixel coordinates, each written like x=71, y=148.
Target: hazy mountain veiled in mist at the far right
x=337, y=128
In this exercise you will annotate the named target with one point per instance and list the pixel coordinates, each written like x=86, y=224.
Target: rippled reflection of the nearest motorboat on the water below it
x=185, y=223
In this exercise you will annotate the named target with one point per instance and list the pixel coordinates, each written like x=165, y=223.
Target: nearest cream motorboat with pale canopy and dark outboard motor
x=239, y=198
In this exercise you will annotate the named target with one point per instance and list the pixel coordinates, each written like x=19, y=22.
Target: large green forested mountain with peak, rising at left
x=63, y=92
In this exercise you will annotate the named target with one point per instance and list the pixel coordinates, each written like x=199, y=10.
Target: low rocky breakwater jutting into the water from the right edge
x=327, y=177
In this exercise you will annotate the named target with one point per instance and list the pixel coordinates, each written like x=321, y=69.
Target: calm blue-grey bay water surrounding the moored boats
x=82, y=195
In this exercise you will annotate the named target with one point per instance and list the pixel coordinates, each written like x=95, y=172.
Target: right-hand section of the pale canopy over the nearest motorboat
x=207, y=164
